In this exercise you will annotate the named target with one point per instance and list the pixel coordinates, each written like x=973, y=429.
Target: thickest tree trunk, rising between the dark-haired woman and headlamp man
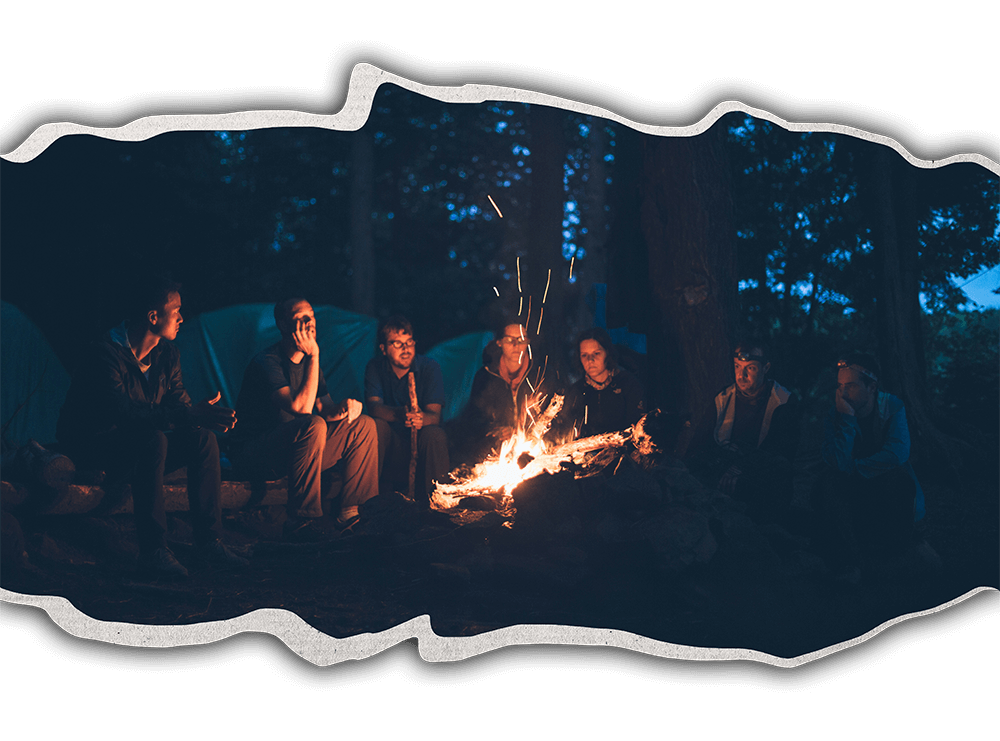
x=687, y=220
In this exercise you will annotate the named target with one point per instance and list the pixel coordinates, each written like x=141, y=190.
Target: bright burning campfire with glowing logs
x=525, y=454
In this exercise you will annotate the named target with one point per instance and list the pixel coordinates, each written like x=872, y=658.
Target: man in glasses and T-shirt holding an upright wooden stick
x=387, y=392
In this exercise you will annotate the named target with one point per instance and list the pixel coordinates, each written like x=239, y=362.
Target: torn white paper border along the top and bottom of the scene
x=306, y=641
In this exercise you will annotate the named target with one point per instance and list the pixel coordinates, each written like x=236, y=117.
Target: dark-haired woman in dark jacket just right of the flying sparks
x=607, y=399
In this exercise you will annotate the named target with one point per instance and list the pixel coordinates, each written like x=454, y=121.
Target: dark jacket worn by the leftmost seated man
x=109, y=391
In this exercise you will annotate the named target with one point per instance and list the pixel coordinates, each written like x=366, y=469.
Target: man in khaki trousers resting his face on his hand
x=291, y=425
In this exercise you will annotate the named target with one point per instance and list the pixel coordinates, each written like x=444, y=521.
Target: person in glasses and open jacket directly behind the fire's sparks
x=501, y=393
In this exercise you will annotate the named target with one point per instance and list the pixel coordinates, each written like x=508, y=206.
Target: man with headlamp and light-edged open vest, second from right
x=750, y=449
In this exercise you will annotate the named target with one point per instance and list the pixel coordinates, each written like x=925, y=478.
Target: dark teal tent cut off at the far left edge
x=28, y=360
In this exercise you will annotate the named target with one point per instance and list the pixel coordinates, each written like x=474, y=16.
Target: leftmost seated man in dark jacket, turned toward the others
x=127, y=413
